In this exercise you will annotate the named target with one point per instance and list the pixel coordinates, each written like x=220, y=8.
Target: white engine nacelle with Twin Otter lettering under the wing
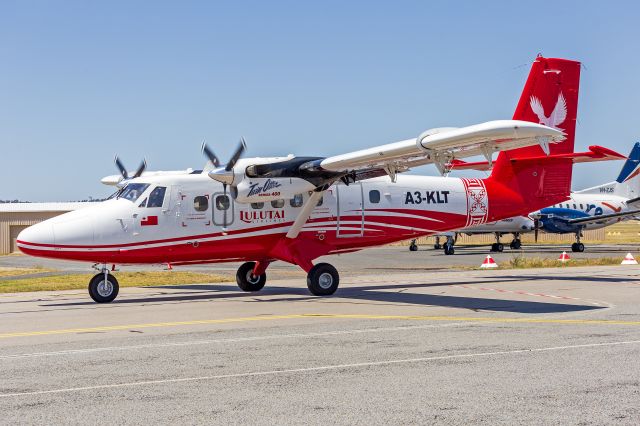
x=257, y=190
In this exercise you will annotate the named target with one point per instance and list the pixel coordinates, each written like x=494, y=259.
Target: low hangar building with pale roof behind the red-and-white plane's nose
x=14, y=217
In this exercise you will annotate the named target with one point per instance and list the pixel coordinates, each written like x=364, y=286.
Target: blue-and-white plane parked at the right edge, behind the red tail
x=596, y=207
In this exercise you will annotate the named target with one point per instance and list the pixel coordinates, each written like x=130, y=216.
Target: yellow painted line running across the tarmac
x=328, y=316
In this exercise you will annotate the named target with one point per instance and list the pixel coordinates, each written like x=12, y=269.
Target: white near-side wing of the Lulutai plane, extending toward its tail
x=441, y=146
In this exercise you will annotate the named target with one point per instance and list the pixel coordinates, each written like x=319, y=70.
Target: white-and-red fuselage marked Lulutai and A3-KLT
x=189, y=219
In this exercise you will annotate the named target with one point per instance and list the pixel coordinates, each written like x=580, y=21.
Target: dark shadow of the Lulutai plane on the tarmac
x=389, y=293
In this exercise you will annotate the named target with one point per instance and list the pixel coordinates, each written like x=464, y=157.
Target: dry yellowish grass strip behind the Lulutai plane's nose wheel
x=125, y=279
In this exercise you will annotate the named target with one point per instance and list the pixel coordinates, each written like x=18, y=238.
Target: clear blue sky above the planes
x=81, y=81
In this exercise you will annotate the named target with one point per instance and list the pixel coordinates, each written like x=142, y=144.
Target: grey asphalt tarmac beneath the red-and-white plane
x=393, y=345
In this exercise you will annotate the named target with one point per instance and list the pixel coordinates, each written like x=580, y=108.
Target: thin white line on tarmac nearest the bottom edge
x=315, y=369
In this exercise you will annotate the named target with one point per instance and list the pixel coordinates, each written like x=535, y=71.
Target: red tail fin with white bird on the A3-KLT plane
x=550, y=97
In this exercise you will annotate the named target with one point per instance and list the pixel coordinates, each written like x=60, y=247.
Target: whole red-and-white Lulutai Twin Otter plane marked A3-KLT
x=296, y=209
